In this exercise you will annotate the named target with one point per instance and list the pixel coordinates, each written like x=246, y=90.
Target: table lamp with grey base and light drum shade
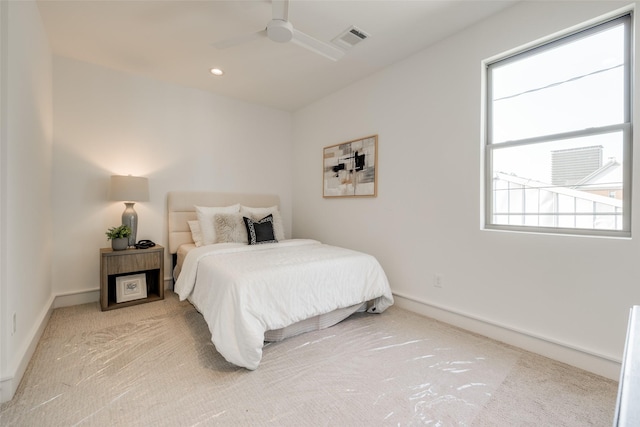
x=129, y=189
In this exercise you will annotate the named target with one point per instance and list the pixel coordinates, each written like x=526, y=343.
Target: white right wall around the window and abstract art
x=552, y=294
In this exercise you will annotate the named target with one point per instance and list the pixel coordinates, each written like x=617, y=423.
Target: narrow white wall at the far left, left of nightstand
x=25, y=173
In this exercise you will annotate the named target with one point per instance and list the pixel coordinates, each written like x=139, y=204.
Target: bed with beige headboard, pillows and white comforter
x=252, y=293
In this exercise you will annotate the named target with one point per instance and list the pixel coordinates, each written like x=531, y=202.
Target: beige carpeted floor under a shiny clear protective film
x=154, y=364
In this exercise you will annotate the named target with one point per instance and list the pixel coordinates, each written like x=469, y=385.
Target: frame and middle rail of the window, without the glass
x=625, y=127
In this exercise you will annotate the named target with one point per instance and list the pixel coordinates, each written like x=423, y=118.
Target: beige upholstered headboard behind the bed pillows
x=181, y=208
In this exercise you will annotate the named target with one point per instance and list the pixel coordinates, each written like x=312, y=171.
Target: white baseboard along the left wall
x=9, y=384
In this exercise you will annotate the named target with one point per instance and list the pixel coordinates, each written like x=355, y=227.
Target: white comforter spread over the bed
x=243, y=291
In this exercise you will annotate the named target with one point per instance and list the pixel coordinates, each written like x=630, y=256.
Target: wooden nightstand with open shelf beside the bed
x=114, y=264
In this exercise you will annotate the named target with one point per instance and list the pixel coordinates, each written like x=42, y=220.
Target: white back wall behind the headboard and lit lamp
x=109, y=122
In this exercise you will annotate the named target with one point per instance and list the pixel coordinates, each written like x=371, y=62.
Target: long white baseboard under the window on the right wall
x=603, y=365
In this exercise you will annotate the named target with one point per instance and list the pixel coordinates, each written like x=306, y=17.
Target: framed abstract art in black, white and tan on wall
x=350, y=169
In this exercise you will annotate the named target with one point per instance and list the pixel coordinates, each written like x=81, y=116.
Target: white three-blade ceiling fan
x=280, y=30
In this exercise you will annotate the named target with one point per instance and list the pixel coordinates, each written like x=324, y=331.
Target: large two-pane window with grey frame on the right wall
x=558, y=141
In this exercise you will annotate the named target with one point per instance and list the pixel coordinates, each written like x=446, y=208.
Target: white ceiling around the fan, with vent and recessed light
x=173, y=41
